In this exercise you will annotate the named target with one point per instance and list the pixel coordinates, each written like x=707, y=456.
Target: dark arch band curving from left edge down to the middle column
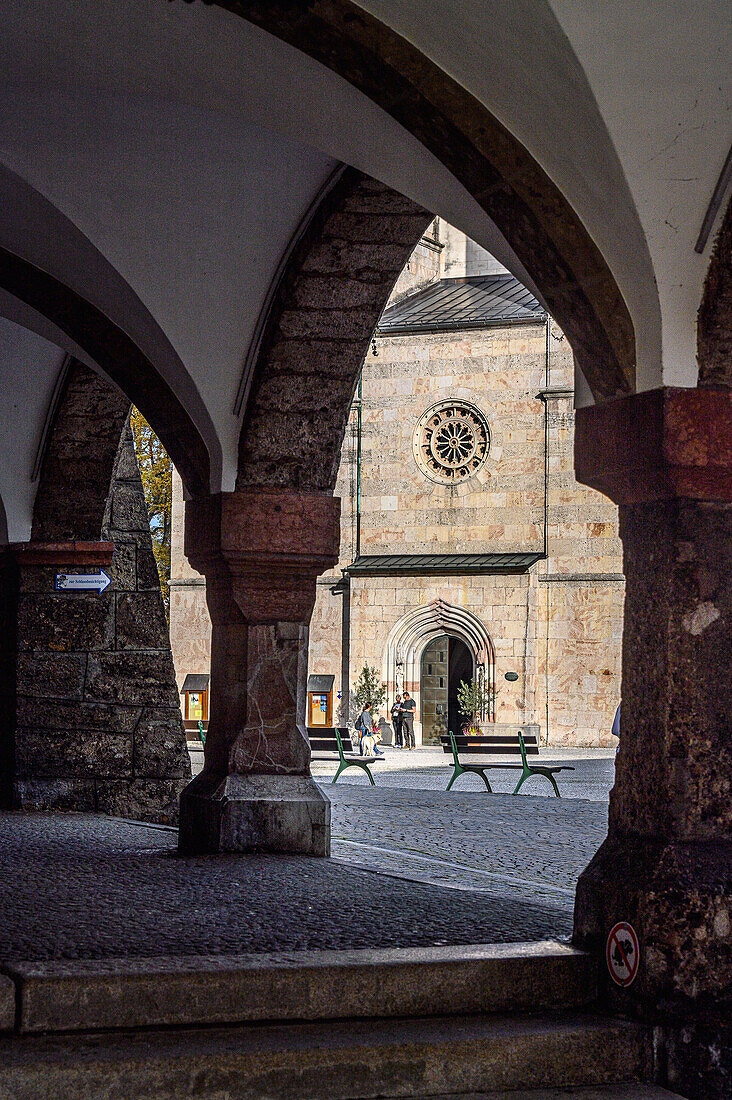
x=56, y=282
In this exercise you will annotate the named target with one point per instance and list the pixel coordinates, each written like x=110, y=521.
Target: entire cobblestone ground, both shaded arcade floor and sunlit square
x=413, y=866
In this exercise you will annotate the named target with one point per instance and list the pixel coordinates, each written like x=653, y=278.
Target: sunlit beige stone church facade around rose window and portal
x=577, y=592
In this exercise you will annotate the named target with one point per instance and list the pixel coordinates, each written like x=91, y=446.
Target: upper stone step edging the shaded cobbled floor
x=91, y=995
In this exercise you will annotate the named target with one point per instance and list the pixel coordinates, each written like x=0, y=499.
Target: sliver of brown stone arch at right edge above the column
x=715, y=323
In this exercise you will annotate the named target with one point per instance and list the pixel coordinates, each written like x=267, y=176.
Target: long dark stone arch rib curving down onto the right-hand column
x=498, y=171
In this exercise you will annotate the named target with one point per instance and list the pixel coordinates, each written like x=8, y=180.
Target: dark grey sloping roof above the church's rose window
x=475, y=302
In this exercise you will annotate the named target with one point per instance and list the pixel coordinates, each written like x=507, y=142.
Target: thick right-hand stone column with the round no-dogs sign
x=667, y=867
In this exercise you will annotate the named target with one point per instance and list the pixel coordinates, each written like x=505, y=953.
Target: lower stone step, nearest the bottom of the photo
x=327, y=1061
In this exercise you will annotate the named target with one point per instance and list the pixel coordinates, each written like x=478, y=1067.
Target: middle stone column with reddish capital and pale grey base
x=261, y=552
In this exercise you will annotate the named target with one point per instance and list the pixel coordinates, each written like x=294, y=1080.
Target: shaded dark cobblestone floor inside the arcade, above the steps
x=75, y=886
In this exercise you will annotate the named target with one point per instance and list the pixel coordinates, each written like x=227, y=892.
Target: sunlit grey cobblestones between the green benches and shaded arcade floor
x=532, y=849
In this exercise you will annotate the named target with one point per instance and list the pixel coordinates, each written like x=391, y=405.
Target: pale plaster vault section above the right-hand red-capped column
x=628, y=106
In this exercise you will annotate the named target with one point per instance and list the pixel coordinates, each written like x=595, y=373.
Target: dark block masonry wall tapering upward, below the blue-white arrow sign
x=99, y=712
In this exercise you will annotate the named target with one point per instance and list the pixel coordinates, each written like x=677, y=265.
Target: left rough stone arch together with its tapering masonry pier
x=96, y=722
